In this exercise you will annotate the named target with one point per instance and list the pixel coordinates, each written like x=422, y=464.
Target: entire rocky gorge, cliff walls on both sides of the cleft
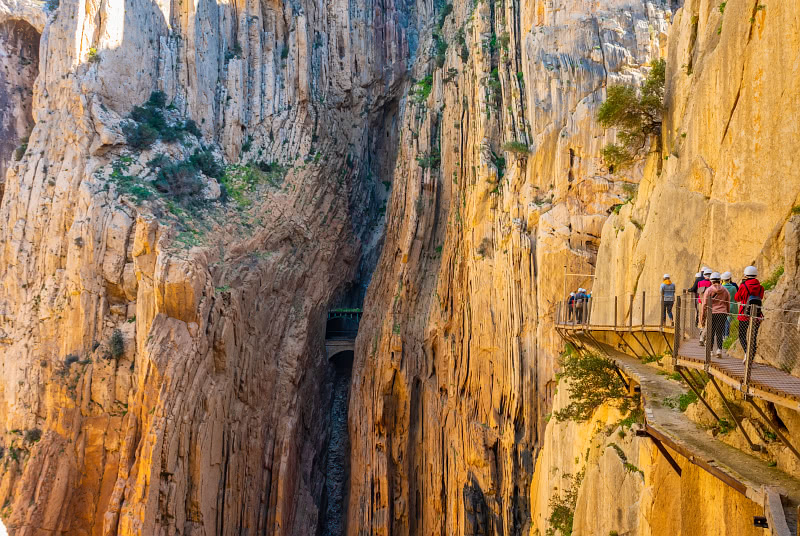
x=190, y=187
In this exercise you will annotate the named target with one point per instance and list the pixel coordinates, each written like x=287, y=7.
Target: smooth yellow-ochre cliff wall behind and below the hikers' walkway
x=721, y=196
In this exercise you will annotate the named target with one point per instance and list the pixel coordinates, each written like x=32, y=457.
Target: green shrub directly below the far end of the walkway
x=592, y=381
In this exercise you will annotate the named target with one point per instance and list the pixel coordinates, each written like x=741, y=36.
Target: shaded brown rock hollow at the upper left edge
x=19, y=63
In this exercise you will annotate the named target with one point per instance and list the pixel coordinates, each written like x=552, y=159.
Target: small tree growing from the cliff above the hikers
x=637, y=115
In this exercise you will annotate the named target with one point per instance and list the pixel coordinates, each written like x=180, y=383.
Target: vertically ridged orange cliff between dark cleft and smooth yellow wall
x=499, y=185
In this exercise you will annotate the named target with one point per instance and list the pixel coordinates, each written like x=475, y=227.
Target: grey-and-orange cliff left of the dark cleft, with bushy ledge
x=162, y=363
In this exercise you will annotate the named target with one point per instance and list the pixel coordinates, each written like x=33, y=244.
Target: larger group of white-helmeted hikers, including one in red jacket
x=718, y=300
